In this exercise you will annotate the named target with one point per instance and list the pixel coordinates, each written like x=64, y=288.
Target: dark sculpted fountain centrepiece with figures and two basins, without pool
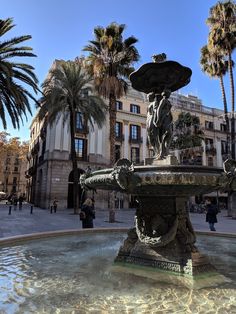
x=163, y=238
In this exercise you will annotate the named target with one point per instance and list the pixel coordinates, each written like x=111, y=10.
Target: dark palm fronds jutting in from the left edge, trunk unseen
x=14, y=97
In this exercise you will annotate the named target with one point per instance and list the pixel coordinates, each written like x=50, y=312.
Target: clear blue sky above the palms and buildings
x=61, y=28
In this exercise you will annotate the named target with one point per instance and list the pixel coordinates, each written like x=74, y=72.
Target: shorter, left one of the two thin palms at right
x=215, y=65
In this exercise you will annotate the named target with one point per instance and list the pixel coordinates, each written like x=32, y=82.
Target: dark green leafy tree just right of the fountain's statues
x=187, y=132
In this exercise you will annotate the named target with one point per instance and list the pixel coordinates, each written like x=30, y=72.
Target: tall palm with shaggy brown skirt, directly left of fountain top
x=110, y=61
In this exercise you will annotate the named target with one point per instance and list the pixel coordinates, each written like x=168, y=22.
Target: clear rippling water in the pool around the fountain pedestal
x=73, y=274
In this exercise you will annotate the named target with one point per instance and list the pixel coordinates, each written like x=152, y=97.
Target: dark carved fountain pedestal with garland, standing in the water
x=163, y=238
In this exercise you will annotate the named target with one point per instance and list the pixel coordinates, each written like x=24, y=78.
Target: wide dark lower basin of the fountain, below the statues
x=162, y=180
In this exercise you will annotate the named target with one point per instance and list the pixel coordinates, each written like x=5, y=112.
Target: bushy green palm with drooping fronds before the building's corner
x=67, y=91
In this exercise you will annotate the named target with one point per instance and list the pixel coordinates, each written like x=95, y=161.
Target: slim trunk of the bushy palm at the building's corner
x=74, y=161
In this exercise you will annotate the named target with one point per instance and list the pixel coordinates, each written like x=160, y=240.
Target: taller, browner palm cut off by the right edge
x=222, y=36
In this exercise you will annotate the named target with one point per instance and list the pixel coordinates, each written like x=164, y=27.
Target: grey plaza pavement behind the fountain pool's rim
x=41, y=220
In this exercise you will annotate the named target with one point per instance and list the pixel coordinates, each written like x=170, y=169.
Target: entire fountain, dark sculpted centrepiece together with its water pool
x=72, y=271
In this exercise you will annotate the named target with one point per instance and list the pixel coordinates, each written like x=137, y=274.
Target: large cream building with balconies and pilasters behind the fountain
x=50, y=171
